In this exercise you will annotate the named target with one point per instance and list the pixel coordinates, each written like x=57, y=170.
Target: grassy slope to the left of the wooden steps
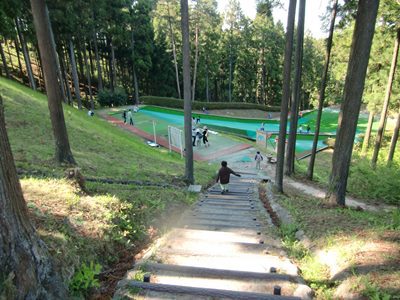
x=102, y=225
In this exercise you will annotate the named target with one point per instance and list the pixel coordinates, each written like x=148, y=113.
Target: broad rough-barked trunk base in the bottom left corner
x=24, y=258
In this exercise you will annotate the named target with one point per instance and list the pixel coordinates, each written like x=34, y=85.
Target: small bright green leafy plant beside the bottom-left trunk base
x=84, y=279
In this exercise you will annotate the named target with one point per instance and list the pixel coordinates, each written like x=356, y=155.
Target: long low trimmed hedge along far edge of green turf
x=197, y=105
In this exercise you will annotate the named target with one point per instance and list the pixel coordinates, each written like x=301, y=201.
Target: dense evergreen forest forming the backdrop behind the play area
x=135, y=47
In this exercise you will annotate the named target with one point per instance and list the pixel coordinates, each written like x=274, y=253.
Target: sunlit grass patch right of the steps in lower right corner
x=346, y=245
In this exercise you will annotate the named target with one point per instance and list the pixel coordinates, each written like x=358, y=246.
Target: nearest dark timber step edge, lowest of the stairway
x=186, y=292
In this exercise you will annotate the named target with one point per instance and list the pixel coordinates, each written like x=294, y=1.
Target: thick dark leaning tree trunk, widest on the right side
x=350, y=107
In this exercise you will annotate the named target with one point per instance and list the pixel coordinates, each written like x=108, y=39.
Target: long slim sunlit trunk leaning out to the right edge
x=382, y=121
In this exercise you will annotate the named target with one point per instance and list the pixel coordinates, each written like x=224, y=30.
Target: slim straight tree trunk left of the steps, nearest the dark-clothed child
x=186, y=92
